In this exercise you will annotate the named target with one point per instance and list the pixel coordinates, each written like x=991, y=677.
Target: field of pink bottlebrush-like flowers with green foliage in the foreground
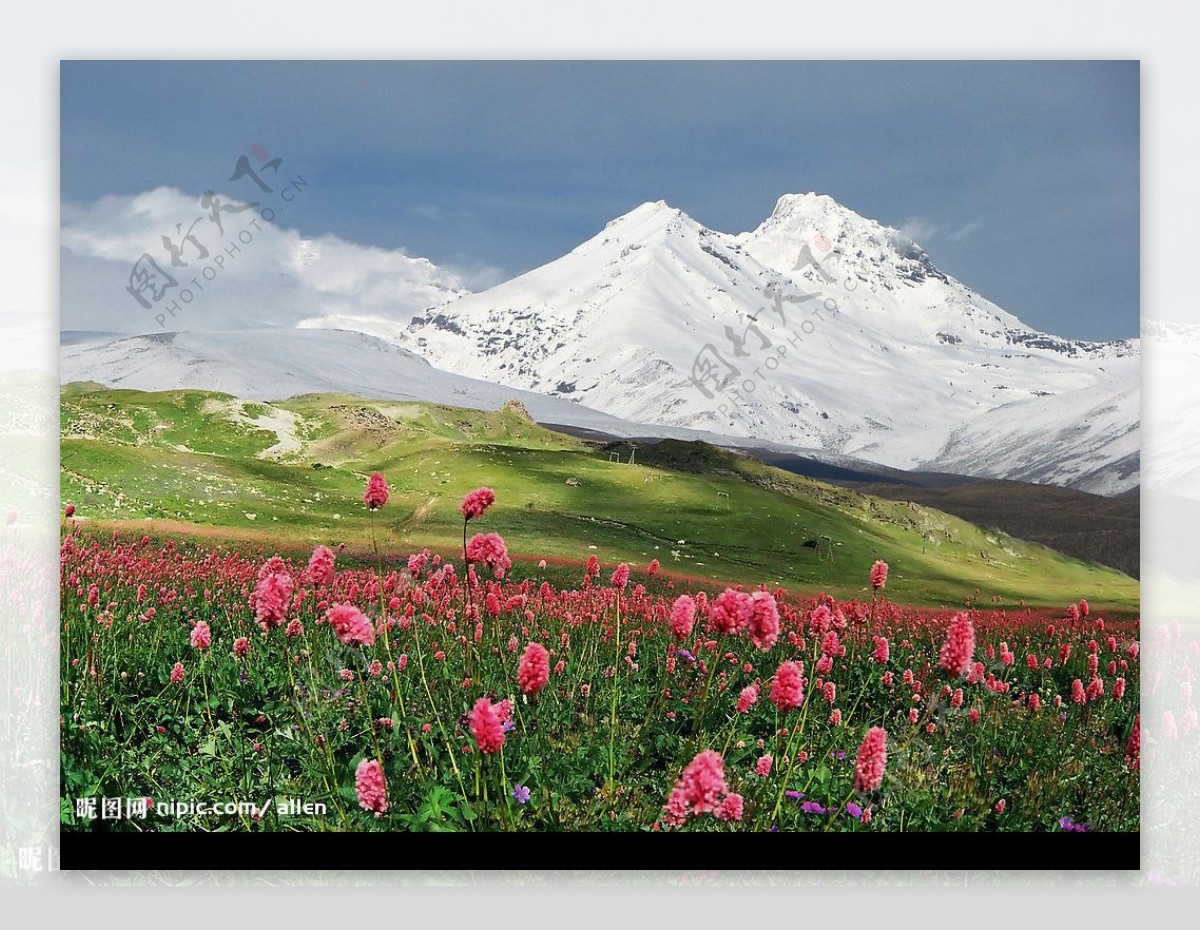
x=412, y=693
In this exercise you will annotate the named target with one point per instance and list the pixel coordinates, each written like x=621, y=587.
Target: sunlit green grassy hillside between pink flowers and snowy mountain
x=293, y=473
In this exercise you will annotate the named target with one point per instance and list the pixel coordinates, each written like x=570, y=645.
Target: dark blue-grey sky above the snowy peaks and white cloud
x=1022, y=179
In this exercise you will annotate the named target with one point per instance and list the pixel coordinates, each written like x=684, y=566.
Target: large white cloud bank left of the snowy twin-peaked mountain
x=256, y=273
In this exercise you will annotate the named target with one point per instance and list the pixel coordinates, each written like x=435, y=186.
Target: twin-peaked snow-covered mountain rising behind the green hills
x=819, y=329
